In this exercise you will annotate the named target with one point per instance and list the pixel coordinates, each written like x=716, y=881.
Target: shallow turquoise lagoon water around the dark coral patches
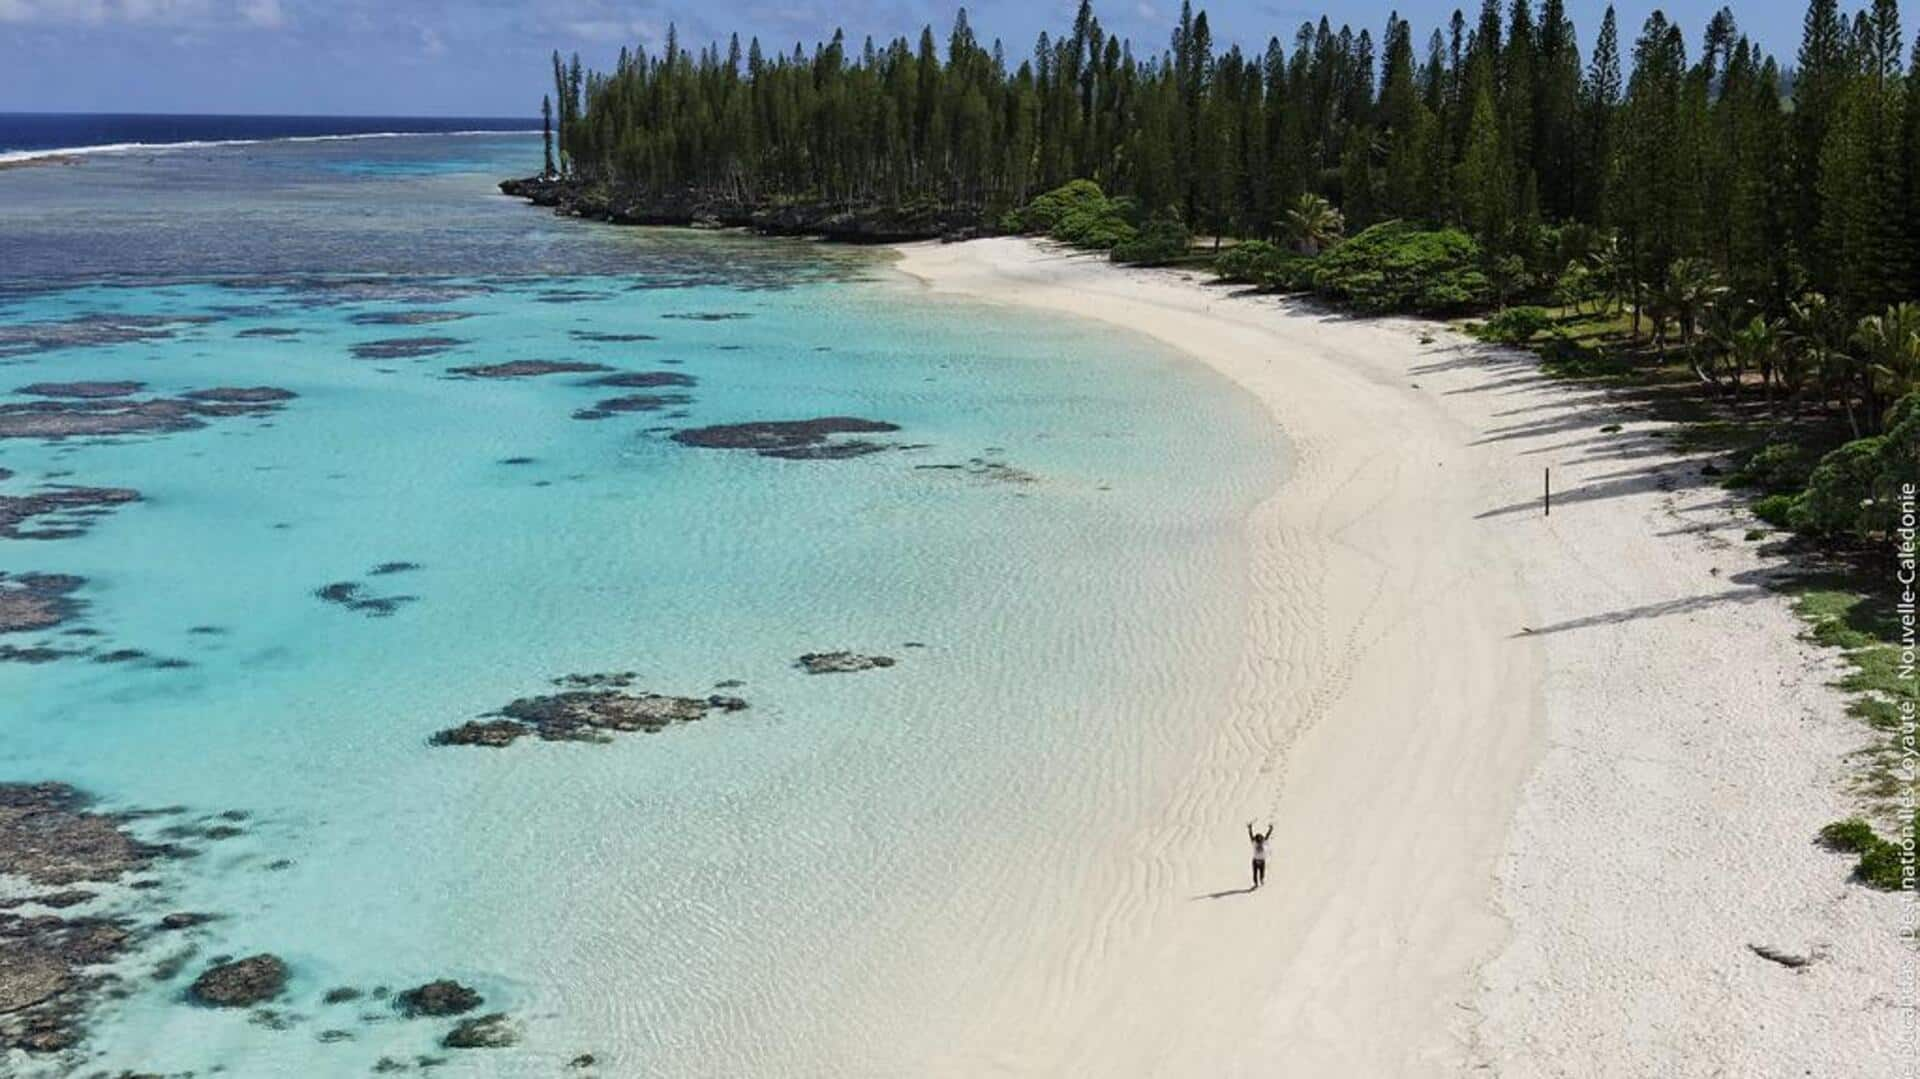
x=765, y=892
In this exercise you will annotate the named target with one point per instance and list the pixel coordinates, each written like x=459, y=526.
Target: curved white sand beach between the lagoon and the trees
x=1539, y=784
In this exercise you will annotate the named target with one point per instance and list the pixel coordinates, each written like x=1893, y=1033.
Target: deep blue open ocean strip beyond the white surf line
x=82, y=132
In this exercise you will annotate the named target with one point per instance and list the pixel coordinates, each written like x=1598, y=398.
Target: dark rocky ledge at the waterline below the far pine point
x=859, y=224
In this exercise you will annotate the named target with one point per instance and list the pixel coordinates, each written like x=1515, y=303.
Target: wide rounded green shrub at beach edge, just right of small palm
x=1399, y=266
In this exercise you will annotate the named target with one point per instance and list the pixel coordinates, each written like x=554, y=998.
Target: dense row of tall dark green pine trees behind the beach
x=1783, y=181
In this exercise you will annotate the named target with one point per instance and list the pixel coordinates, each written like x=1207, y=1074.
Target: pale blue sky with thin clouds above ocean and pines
x=489, y=57
